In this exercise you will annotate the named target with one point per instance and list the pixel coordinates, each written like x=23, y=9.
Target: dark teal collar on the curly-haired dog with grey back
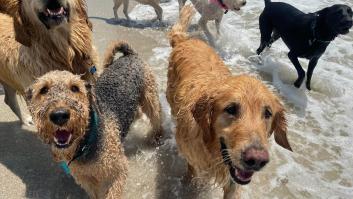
x=89, y=144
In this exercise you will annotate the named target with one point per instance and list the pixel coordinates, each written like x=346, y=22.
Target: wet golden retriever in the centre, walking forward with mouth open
x=223, y=122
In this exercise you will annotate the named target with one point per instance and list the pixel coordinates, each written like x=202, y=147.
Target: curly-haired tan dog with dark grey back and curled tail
x=85, y=125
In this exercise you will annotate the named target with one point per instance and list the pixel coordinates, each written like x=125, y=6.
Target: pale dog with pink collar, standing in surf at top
x=213, y=10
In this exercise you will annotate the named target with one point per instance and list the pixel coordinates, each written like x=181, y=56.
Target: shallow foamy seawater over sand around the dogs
x=320, y=121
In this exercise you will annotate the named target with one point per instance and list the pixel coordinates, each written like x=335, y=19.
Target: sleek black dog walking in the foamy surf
x=306, y=35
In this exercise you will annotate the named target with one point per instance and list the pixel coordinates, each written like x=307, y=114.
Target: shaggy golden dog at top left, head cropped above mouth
x=38, y=36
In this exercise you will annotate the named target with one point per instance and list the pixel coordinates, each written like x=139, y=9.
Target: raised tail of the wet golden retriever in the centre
x=178, y=33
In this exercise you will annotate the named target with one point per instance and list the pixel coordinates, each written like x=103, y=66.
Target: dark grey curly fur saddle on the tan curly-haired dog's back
x=120, y=87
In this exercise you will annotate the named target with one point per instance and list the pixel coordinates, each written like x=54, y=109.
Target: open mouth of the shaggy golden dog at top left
x=54, y=14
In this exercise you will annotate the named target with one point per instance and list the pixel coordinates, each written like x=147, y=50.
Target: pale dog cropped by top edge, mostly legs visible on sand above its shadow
x=153, y=3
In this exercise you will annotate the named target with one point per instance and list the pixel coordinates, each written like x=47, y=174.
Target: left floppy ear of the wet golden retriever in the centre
x=202, y=112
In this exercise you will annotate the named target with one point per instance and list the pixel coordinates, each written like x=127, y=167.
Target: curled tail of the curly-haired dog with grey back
x=115, y=47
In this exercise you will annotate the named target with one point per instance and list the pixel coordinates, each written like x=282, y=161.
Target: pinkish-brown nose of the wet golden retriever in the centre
x=254, y=158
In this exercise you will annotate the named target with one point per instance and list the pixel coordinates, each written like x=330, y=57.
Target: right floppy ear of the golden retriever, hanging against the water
x=279, y=127
